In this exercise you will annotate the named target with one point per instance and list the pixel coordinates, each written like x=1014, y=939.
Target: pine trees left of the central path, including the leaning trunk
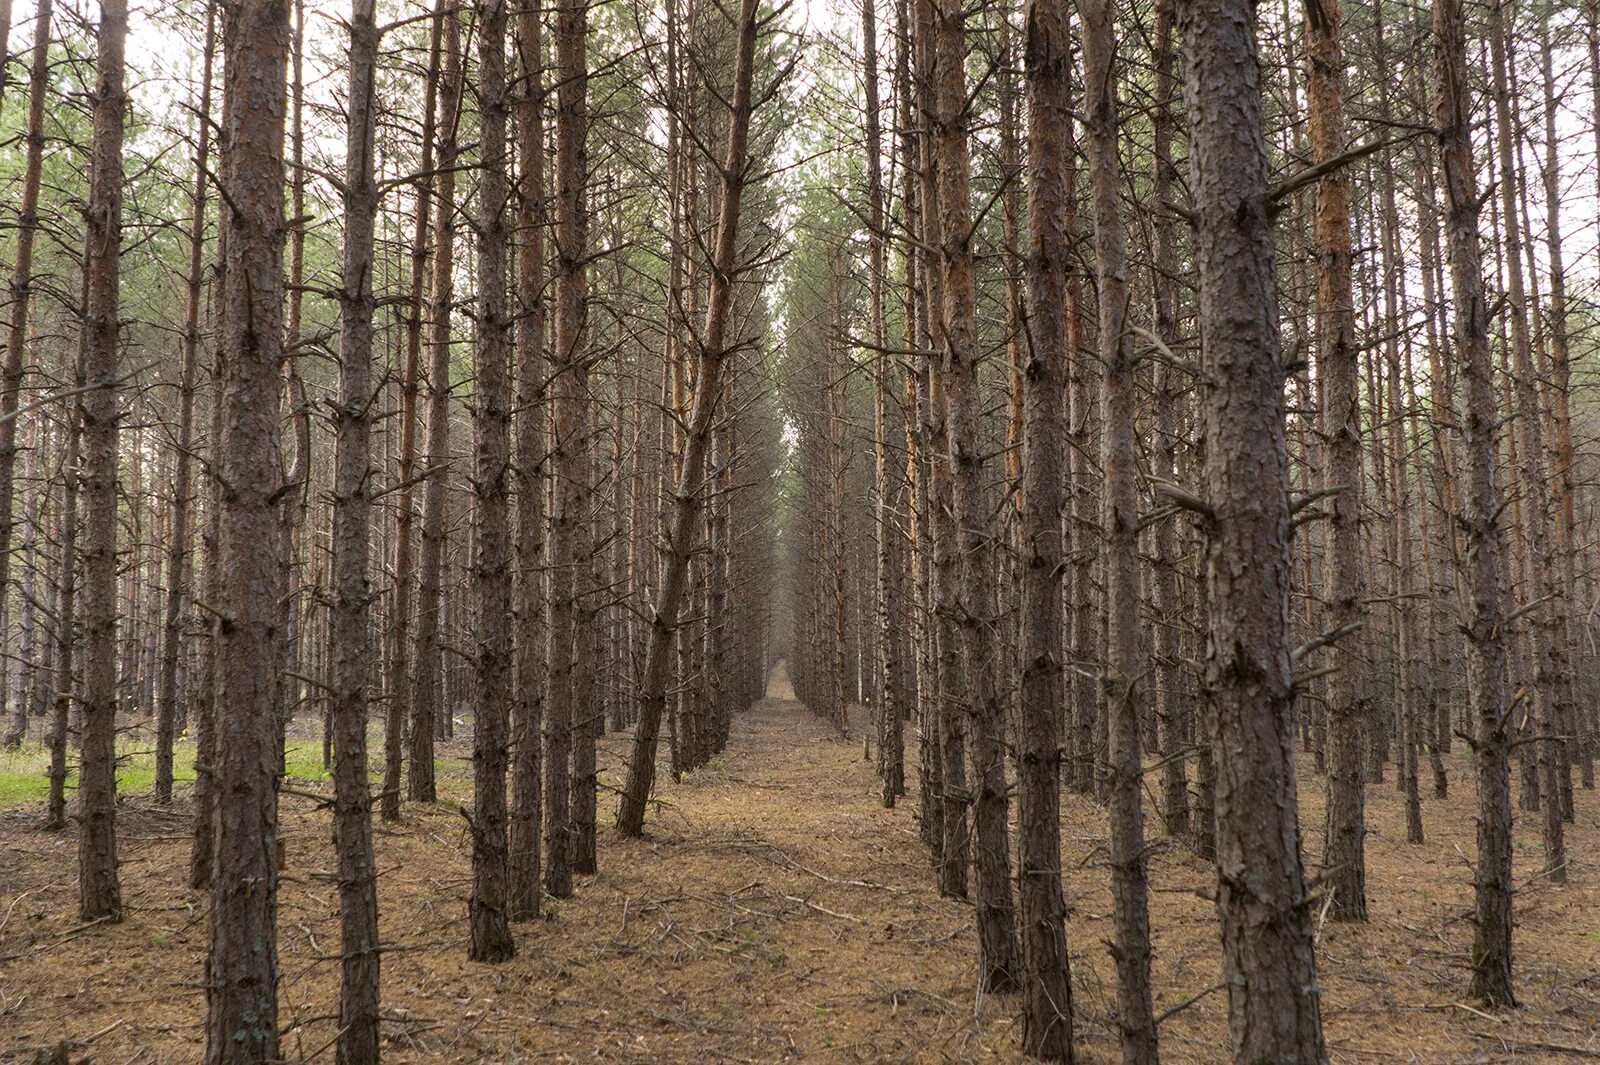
x=415, y=417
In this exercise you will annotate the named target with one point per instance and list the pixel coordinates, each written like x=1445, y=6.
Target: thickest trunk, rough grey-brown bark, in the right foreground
x=1263, y=901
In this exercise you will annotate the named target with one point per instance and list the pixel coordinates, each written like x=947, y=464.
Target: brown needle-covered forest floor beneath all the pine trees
x=775, y=914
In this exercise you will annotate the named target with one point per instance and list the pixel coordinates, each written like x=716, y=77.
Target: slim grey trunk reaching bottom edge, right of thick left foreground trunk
x=350, y=644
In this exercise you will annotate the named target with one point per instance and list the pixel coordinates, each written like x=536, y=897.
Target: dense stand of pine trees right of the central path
x=1276, y=444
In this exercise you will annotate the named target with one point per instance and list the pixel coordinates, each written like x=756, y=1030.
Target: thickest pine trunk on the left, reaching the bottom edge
x=242, y=968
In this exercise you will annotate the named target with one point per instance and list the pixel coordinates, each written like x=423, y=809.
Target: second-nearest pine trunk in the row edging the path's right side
x=999, y=963
